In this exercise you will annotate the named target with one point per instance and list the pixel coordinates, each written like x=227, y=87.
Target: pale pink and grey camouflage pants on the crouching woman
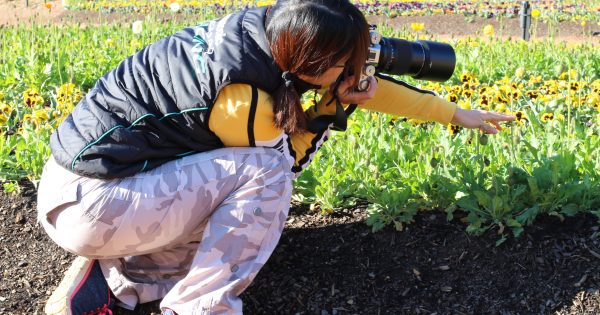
x=194, y=231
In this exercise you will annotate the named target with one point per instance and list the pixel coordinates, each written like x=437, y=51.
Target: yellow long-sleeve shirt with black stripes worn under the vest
x=243, y=116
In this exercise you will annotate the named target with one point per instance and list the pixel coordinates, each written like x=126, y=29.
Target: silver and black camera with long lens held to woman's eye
x=422, y=59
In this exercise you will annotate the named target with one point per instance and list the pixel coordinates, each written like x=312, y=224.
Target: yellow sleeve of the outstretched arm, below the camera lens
x=401, y=99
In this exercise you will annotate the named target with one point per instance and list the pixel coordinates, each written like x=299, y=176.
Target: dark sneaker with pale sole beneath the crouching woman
x=82, y=291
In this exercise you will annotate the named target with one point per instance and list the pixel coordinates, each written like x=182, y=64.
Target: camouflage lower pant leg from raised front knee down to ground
x=240, y=236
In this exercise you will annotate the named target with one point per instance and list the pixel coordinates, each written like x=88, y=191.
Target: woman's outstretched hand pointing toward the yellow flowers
x=487, y=122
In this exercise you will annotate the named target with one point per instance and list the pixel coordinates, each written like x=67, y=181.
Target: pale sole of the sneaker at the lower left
x=59, y=302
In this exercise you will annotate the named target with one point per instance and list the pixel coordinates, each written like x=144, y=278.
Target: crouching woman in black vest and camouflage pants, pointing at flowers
x=173, y=176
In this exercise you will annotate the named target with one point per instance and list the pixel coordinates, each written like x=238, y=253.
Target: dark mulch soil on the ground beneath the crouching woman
x=336, y=265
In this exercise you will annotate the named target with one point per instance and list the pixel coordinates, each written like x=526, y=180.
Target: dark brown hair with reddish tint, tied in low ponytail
x=307, y=37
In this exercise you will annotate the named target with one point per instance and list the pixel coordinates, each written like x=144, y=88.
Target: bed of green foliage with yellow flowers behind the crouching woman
x=500, y=183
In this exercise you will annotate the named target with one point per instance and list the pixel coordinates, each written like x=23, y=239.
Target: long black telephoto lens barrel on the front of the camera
x=426, y=60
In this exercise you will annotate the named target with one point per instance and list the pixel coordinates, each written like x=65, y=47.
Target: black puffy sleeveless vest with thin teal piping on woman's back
x=154, y=107
